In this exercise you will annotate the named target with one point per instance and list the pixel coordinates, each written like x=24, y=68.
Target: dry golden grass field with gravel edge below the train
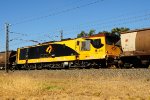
x=92, y=84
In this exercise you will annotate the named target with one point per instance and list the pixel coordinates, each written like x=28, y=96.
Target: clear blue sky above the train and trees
x=36, y=21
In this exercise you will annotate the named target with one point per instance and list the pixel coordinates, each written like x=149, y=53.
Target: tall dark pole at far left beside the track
x=7, y=47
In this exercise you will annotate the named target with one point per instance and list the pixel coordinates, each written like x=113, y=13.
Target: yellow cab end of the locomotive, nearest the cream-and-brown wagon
x=101, y=48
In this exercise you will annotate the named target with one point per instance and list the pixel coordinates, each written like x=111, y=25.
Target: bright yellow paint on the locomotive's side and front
x=93, y=53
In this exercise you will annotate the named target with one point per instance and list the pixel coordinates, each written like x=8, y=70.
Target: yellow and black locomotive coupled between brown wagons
x=86, y=52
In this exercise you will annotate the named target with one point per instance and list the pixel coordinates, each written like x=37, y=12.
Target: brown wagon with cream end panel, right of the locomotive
x=136, y=48
